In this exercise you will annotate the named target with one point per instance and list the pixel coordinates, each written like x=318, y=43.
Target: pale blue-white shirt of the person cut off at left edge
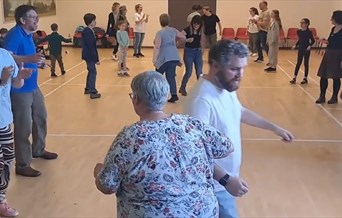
x=6, y=116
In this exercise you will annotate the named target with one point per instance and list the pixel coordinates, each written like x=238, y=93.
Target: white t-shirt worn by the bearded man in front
x=222, y=110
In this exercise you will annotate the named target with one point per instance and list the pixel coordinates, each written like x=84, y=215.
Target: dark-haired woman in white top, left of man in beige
x=253, y=30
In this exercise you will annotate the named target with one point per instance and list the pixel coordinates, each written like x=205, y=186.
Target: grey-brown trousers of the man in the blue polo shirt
x=30, y=116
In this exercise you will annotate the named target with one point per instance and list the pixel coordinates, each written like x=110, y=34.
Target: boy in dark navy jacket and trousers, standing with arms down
x=90, y=55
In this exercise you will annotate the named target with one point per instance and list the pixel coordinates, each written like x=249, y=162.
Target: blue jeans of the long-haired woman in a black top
x=192, y=55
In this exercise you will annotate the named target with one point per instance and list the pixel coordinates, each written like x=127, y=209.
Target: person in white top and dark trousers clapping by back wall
x=139, y=30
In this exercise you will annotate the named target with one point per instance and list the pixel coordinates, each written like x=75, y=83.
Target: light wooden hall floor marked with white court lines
x=302, y=179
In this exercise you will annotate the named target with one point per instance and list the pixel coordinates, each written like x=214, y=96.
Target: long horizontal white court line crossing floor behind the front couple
x=244, y=139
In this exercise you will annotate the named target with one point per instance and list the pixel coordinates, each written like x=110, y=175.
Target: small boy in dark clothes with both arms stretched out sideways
x=55, y=45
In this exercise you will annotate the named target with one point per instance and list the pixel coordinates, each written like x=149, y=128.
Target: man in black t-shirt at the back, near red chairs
x=210, y=20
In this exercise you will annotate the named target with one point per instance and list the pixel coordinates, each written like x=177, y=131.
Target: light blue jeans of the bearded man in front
x=227, y=205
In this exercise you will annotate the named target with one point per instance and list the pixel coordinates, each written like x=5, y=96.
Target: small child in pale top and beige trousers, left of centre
x=123, y=41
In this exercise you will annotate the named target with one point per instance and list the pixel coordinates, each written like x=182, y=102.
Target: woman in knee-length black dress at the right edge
x=331, y=65
